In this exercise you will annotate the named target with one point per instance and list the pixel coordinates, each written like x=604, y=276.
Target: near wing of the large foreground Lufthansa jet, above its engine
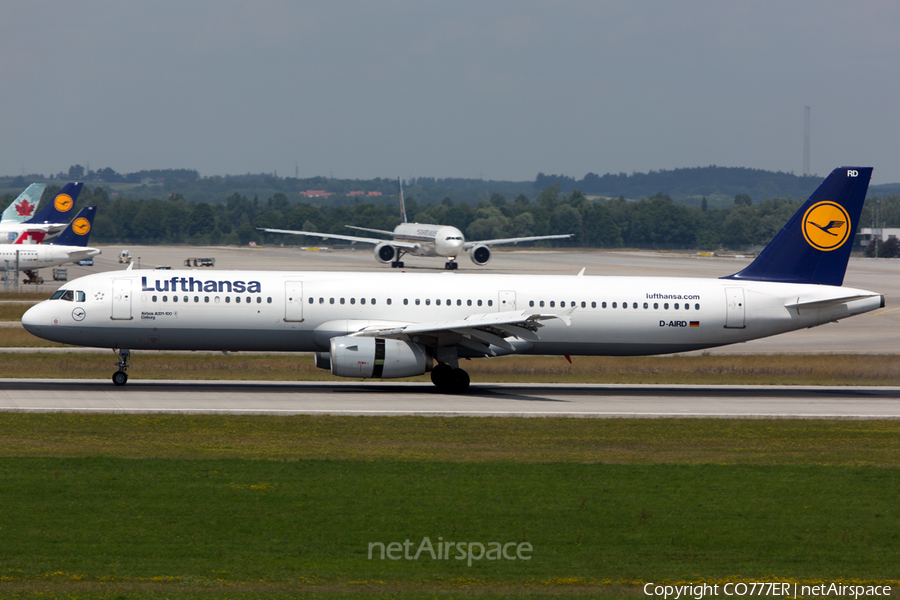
x=478, y=332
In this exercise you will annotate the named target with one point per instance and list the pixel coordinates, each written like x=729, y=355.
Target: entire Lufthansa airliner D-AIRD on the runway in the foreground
x=399, y=324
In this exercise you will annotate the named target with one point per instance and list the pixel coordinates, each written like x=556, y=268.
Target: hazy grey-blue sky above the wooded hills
x=500, y=90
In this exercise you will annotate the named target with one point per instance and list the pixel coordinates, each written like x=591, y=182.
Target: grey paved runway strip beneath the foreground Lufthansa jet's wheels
x=399, y=398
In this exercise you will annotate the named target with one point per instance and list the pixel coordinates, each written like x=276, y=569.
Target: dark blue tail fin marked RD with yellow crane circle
x=815, y=245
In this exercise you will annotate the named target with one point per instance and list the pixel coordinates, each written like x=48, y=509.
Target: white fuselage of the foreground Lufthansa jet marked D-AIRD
x=302, y=311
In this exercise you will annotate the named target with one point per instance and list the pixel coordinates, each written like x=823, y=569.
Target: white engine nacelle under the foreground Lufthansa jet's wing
x=376, y=357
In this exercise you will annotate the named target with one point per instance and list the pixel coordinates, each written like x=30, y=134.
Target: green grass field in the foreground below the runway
x=232, y=507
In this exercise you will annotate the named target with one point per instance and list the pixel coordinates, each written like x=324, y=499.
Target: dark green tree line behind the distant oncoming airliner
x=656, y=222
